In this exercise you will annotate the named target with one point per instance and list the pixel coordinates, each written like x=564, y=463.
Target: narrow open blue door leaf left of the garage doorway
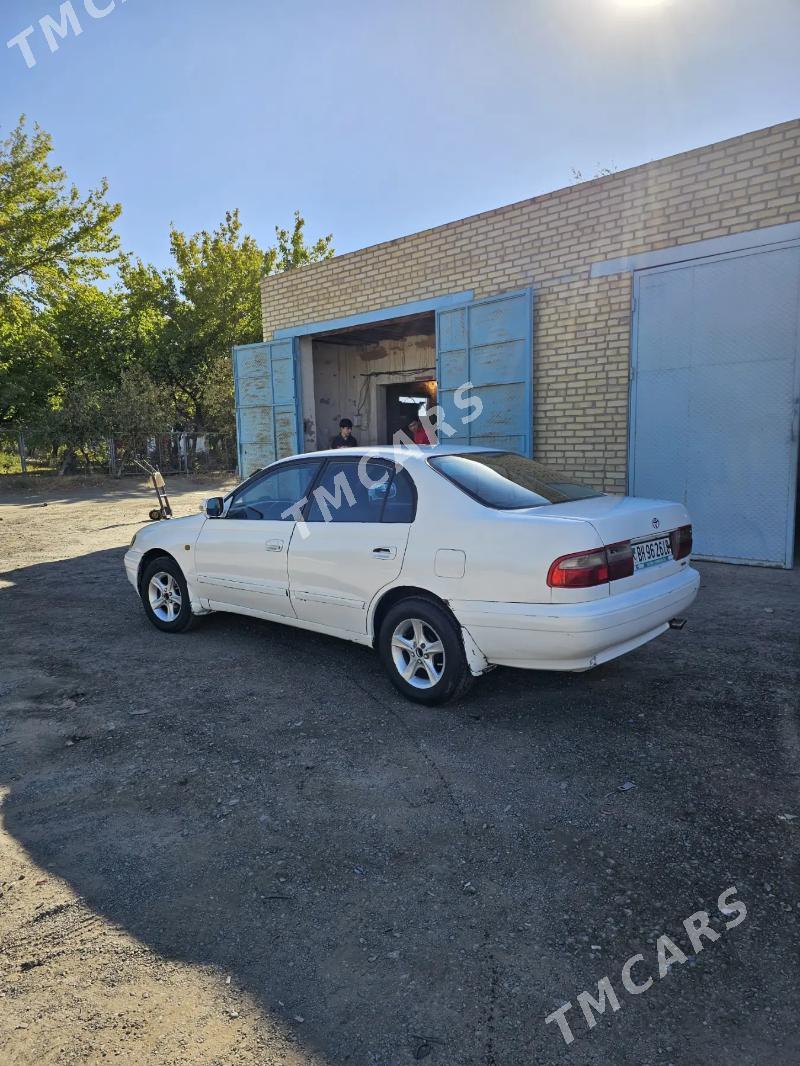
x=267, y=403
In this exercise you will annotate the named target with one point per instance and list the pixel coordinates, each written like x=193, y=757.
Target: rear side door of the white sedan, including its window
x=358, y=527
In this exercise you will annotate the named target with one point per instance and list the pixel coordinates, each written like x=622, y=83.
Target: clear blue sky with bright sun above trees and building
x=381, y=118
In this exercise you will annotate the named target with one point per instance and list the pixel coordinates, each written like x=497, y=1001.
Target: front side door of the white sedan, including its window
x=242, y=560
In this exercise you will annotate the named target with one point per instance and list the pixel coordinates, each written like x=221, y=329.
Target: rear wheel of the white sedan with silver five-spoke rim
x=423, y=653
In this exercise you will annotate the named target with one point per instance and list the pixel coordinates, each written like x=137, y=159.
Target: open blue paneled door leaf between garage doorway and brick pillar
x=488, y=343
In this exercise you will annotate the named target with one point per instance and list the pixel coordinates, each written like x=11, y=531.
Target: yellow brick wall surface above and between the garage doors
x=582, y=343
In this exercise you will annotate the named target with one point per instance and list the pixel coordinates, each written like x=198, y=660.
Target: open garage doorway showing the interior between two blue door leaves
x=362, y=373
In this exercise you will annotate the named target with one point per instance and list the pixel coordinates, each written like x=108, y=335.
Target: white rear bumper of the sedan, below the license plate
x=575, y=637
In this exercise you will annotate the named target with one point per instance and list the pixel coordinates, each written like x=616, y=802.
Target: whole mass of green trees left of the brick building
x=81, y=362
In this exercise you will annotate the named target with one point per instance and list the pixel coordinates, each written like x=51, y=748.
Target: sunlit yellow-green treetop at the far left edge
x=51, y=236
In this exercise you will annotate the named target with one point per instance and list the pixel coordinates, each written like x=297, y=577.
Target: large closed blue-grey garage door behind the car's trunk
x=715, y=399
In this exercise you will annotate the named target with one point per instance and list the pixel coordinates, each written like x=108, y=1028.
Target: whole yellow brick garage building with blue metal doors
x=639, y=331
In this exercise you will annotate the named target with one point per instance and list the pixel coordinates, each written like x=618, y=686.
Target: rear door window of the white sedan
x=349, y=492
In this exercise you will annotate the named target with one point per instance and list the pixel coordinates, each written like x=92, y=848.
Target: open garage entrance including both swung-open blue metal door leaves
x=293, y=392
